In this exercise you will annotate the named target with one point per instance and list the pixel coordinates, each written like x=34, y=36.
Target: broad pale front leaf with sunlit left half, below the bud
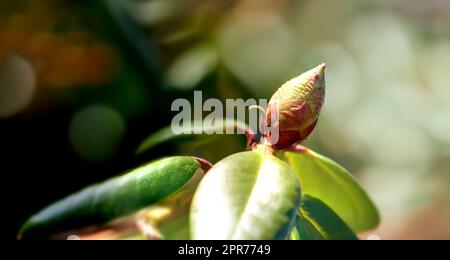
x=247, y=195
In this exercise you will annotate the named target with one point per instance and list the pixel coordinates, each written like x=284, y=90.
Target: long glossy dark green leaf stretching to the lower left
x=113, y=198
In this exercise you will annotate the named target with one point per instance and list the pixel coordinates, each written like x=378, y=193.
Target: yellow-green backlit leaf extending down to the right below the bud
x=329, y=182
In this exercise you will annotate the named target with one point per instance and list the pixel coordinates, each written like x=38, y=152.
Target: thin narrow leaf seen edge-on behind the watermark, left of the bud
x=195, y=130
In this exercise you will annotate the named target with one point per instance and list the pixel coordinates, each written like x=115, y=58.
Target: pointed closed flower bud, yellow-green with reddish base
x=299, y=102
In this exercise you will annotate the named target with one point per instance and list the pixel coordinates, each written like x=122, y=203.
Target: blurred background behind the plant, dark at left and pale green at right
x=82, y=83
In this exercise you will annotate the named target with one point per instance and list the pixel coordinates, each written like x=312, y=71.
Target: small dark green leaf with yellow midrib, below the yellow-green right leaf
x=316, y=221
